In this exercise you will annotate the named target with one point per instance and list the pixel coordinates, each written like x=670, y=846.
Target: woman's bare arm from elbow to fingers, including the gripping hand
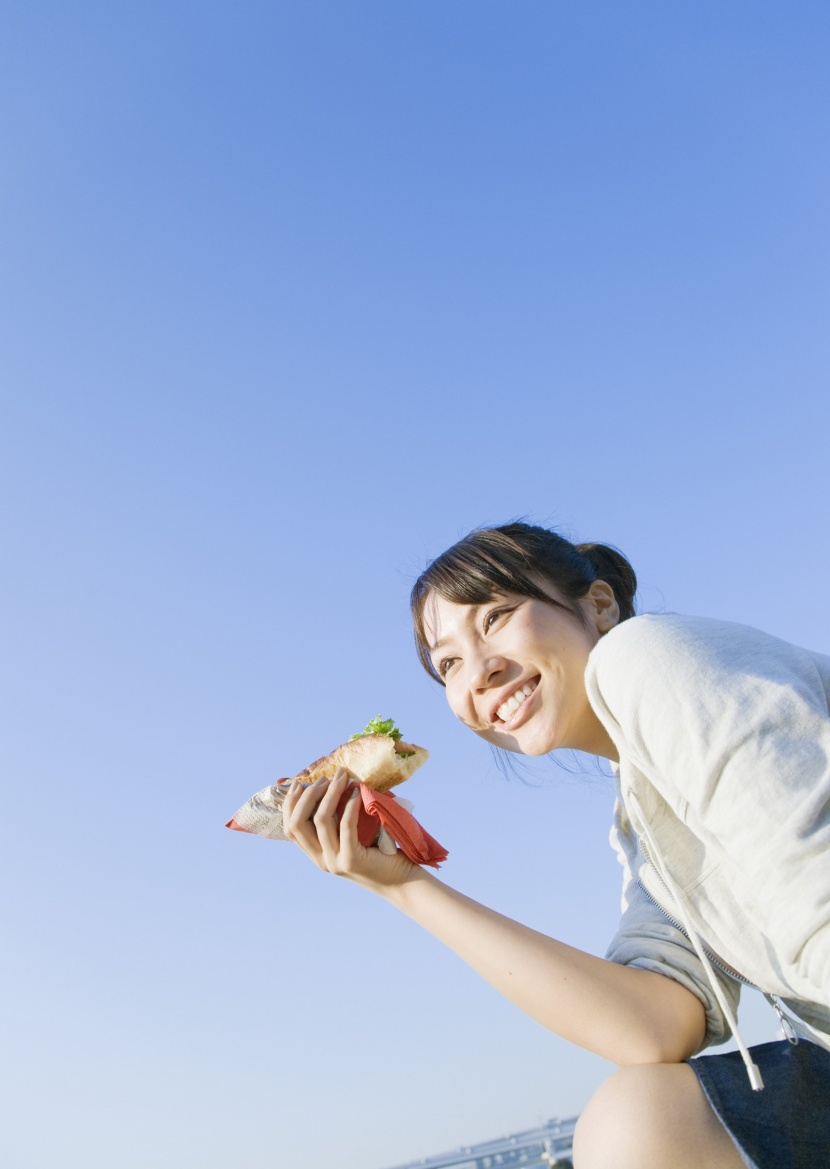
x=625, y=1015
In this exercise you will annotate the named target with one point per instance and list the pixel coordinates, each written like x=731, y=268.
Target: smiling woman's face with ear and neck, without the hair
x=515, y=669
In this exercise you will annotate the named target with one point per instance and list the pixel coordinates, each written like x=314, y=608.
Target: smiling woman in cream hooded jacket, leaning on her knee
x=720, y=738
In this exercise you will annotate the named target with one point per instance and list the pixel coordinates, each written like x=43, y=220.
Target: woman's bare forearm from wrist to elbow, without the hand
x=625, y=1015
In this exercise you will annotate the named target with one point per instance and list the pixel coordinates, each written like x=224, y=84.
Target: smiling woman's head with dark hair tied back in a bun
x=507, y=620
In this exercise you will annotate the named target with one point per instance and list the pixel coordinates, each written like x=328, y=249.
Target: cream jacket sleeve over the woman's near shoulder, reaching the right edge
x=731, y=727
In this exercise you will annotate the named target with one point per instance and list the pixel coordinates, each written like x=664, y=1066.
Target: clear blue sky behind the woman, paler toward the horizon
x=295, y=295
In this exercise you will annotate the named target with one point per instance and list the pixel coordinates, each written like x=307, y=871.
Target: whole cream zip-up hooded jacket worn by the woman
x=723, y=814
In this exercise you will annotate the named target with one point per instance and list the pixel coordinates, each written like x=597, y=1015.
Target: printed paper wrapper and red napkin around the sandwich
x=384, y=821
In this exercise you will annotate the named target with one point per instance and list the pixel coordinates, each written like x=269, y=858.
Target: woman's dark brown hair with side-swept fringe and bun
x=520, y=558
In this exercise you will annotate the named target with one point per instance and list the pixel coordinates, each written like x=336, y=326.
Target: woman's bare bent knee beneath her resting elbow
x=653, y=1117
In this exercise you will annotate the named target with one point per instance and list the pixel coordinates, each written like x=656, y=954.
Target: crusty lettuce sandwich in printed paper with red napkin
x=377, y=759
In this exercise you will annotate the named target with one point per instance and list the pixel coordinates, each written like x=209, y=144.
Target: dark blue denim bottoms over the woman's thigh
x=787, y=1125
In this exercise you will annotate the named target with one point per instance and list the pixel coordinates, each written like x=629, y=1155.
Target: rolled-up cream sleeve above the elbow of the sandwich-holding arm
x=649, y=940
